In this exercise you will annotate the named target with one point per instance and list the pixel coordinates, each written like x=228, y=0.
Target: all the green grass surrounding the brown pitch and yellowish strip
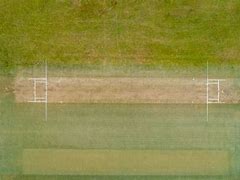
x=120, y=38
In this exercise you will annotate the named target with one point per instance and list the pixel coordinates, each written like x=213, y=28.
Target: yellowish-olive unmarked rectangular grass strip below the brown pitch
x=125, y=162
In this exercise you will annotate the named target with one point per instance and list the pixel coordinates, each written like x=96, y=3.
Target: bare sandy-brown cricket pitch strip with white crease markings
x=126, y=90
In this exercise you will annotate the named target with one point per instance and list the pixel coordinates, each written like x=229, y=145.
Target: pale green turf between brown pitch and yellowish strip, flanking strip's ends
x=117, y=126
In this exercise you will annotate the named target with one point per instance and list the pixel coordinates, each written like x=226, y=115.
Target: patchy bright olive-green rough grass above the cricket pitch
x=118, y=32
